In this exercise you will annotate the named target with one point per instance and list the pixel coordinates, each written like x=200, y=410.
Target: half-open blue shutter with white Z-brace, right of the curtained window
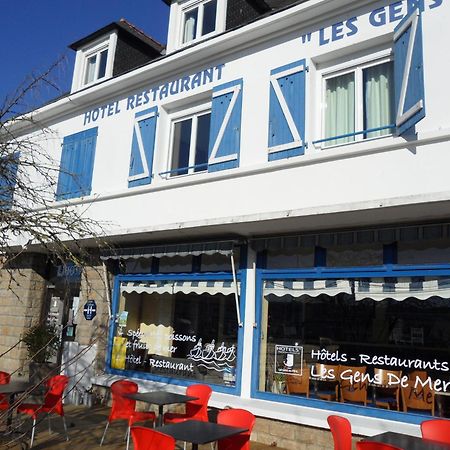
x=408, y=72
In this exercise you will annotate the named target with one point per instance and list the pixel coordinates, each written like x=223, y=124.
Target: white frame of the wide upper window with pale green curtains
x=357, y=68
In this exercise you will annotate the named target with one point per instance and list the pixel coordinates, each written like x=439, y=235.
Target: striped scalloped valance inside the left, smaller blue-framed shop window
x=210, y=287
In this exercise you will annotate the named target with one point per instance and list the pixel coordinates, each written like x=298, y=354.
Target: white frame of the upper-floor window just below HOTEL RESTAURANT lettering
x=191, y=113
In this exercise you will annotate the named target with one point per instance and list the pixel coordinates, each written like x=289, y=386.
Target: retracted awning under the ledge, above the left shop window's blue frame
x=170, y=250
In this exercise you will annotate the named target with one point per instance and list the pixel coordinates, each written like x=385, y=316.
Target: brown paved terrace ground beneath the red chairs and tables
x=85, y=427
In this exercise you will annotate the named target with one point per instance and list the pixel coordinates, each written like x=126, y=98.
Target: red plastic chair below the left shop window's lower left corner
x=125, y=408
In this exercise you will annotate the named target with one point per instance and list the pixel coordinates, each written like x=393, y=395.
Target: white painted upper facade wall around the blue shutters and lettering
x=387, y=171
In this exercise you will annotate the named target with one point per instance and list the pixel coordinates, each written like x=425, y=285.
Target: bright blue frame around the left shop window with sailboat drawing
x=219, y=276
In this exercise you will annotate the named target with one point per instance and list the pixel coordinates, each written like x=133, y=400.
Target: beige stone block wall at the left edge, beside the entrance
x=22, y=296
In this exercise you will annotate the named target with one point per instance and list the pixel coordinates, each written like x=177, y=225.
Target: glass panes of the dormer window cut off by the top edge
x=199, y=21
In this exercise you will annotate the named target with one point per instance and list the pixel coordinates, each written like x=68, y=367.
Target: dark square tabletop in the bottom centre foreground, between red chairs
x=197, y=432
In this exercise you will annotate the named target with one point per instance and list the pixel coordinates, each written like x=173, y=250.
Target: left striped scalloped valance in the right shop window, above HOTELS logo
x=312, y=288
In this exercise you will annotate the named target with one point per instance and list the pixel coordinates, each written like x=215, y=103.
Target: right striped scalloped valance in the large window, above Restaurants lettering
x=380, y=289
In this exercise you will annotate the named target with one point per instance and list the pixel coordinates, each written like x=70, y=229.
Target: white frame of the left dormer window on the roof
x=109, y=43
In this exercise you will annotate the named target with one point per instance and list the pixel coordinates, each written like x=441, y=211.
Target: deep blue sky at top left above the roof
x=36, y=33
